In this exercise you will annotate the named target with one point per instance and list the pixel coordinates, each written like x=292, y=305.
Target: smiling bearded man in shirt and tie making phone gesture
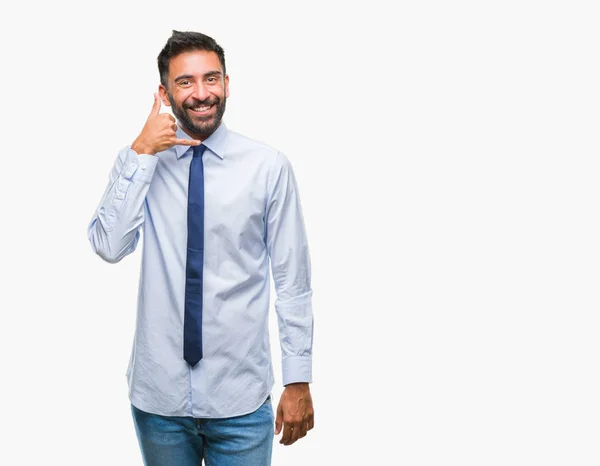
x=216, y=208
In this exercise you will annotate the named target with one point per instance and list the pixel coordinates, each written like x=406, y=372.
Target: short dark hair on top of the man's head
x=187, y=41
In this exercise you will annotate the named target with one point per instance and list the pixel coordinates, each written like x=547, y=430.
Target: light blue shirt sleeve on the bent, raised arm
x=114, y=229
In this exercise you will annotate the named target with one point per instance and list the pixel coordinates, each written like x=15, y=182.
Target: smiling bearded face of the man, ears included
x=197, y=92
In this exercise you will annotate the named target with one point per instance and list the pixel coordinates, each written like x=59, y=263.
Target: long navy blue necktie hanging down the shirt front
x=192, y=325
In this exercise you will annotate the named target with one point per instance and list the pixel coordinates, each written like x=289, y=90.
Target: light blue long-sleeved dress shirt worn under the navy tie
x=253, y=218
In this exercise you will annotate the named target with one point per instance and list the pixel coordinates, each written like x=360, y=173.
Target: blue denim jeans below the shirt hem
x=184, y=441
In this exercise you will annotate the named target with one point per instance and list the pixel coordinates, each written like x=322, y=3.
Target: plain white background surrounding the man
x=447, y=160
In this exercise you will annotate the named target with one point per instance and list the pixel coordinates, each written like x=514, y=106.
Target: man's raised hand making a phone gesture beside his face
x=159, y=133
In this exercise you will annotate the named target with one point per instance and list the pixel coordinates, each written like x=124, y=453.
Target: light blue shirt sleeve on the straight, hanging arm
x=290, y=265
